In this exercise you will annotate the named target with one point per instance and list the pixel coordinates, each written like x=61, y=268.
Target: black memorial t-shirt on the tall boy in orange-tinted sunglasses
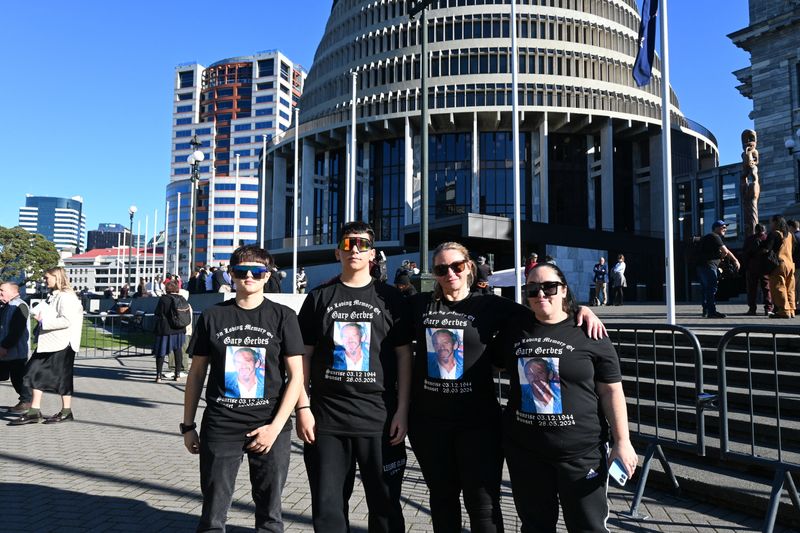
x=354, y=331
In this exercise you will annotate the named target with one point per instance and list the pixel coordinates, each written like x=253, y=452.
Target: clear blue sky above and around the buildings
x=87, y=86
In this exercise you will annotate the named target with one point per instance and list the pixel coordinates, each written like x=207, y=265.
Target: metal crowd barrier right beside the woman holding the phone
x=662, y=368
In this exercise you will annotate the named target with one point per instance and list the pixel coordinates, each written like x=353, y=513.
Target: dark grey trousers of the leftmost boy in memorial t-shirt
x=219, y=464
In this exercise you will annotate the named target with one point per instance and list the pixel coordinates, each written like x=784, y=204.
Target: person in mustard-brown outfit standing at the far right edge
x=782, y=242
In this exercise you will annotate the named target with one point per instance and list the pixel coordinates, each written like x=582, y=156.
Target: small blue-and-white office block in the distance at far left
x=60, y=220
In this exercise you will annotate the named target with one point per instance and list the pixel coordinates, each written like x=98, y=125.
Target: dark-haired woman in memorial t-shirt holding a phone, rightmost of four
x=565, y=392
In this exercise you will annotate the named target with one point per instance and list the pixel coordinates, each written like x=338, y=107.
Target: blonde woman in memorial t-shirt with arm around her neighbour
x=454, y=421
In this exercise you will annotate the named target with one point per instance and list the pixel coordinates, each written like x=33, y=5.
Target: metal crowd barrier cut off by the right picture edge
x=766, y=403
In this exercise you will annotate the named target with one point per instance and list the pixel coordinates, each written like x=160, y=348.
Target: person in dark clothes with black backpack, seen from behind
x=169, y=335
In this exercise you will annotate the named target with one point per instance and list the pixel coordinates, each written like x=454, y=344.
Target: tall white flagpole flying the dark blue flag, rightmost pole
x=666, y=158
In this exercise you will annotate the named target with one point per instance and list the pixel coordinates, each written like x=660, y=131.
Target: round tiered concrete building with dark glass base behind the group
x=589, y=138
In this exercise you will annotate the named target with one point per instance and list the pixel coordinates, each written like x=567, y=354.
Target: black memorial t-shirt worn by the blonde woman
x=452, y=383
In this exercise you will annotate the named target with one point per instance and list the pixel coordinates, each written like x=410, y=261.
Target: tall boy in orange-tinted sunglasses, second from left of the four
x=358, y=407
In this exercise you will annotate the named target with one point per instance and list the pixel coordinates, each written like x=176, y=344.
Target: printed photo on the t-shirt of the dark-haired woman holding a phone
x=540, y=384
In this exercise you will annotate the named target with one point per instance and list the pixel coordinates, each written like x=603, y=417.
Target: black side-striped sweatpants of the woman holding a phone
x=581, y=485
